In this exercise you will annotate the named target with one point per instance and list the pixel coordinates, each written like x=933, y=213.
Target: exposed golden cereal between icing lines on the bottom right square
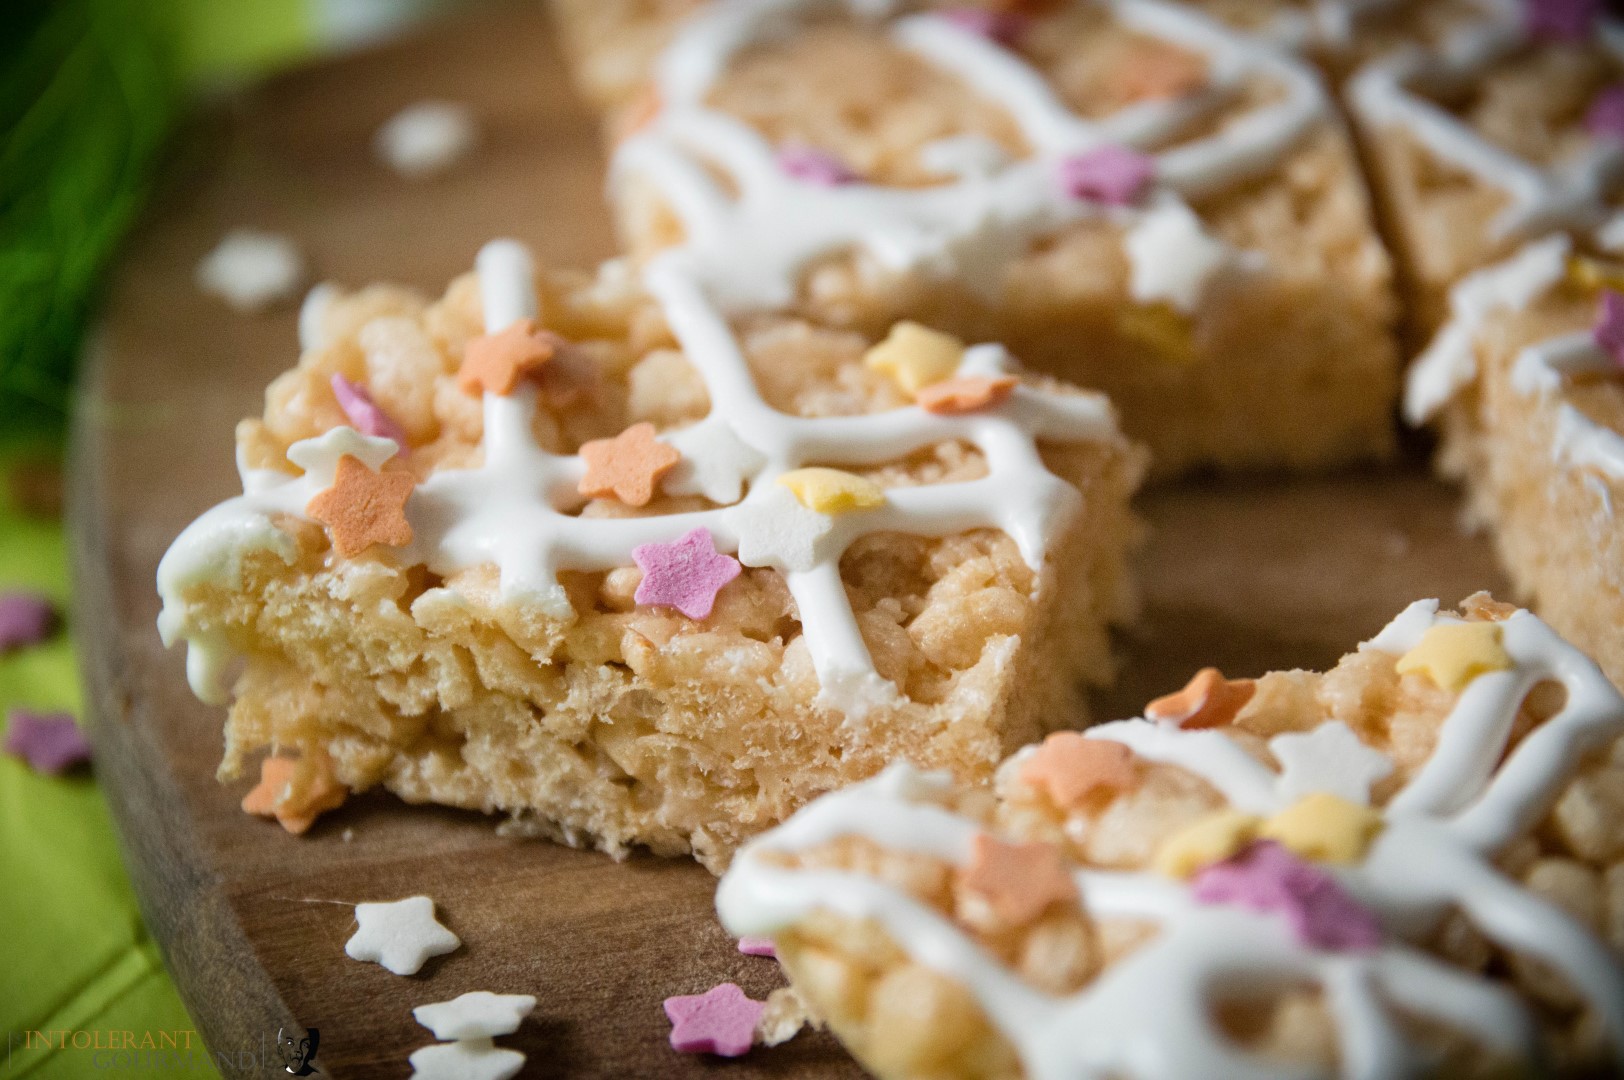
x=905, y=1021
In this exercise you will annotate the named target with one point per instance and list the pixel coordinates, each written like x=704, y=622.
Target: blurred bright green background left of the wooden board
x=90, y=95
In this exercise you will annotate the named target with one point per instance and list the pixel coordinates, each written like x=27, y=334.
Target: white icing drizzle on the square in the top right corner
x=1571, y=196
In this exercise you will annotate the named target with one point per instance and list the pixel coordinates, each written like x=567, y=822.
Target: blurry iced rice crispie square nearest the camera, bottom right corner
x=1410, y=865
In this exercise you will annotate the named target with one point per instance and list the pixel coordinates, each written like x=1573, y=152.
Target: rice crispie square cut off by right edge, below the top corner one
x=1527, y=391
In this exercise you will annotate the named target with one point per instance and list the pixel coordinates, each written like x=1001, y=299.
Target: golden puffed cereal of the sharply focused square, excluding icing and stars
x=634, y=725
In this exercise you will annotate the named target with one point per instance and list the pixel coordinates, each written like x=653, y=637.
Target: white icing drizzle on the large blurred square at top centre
x=749, y=249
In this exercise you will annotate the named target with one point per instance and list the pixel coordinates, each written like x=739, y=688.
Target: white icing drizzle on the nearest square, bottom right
x=1147, y=1017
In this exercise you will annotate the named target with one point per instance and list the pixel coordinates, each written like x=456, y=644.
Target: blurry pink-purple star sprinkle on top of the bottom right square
x=1268, y=878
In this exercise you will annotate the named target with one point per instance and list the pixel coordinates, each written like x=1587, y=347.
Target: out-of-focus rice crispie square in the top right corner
x=1505, y=129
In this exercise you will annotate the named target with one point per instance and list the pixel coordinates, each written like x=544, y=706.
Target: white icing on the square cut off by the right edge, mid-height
x=1542, y=369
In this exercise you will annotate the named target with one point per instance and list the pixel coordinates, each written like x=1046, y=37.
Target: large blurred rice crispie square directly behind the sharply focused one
x=1131, y=196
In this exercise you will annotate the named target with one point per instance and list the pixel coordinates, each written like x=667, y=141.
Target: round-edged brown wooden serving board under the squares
x=1250, y=576
